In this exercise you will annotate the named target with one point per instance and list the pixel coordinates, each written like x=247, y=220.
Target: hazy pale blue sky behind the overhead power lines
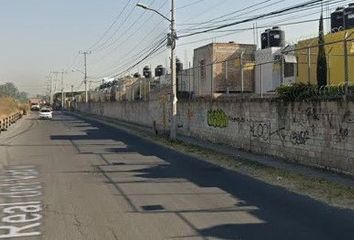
x=43, y=36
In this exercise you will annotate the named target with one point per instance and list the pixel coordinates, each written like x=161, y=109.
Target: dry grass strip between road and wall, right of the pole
x=317, y=188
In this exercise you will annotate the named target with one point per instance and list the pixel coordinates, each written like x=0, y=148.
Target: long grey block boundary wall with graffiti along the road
x=319, y=134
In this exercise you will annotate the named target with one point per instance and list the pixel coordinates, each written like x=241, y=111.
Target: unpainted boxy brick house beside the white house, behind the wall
x=223, y=68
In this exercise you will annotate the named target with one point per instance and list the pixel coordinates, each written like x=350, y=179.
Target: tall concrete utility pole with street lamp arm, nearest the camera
x=173, y=37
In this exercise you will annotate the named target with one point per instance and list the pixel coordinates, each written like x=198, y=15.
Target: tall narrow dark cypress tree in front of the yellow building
x=321, y=60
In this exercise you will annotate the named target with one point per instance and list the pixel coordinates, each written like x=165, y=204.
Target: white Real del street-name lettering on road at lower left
x=20, y=219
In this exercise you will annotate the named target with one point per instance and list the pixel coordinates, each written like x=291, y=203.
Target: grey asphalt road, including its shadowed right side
x=71, y=179
